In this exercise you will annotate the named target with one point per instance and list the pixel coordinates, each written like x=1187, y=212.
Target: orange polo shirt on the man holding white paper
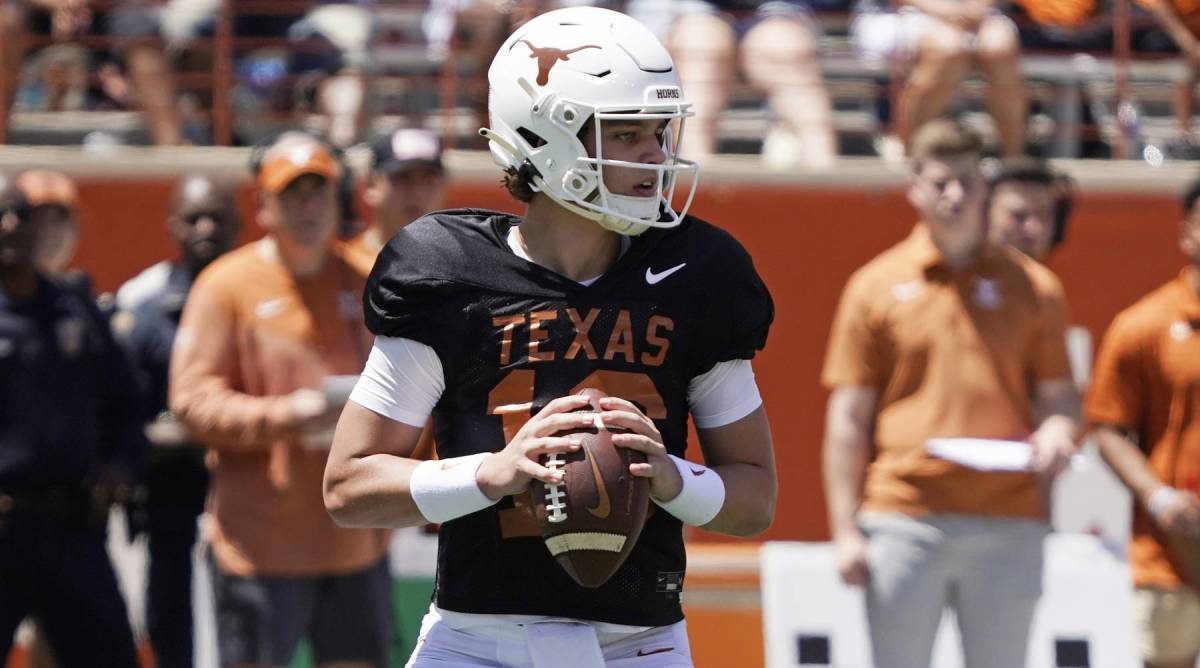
x=952, y=354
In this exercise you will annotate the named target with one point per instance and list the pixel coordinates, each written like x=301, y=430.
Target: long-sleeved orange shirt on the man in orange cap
x=250, y=335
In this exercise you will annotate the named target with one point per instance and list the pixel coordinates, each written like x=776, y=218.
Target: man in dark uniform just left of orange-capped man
x=203, y=224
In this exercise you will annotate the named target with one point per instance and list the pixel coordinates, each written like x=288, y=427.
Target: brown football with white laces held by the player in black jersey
x=592, y=520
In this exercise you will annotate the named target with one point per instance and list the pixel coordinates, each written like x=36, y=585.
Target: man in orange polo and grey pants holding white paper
x=947, y=350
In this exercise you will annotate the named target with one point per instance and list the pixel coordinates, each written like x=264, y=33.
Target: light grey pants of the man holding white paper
x=988, y=570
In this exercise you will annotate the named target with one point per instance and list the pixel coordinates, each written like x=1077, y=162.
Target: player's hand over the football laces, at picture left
x=511, y=471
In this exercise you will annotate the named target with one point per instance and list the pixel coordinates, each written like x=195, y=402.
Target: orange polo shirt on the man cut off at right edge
x=1148, y=381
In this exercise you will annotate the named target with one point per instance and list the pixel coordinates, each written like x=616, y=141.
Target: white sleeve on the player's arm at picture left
x=403, y=381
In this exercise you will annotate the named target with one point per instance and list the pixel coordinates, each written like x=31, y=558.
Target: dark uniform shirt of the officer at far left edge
x=68, y=400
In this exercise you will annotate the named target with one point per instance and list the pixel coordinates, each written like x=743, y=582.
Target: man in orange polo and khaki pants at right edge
x=1144, y=402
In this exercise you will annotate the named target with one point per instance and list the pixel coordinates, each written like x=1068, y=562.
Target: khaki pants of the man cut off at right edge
x=1168, y=624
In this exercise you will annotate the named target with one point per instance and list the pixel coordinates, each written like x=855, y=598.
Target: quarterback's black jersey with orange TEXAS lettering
x=513, y=336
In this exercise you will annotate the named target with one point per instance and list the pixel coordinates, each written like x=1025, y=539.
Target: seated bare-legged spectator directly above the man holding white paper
x=945, y=40
